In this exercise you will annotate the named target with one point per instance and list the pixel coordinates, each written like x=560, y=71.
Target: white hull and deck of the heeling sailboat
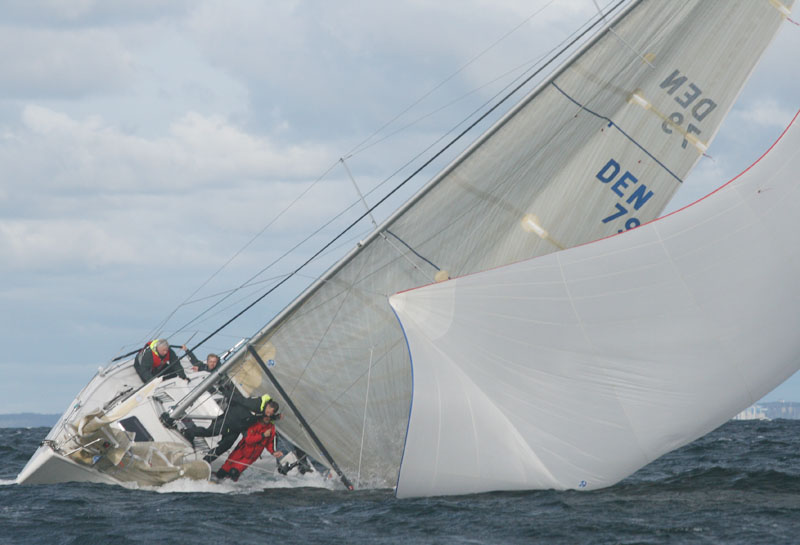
x=112, y=434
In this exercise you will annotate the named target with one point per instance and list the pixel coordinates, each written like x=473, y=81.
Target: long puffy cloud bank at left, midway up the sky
x=53, y=152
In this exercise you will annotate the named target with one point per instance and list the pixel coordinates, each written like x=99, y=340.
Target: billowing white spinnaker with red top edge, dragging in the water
x=575, y=369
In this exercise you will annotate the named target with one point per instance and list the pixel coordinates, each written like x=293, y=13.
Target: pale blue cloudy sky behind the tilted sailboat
x=144, y=145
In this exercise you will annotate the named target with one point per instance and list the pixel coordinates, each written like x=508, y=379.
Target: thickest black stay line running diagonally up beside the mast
x=417, y=171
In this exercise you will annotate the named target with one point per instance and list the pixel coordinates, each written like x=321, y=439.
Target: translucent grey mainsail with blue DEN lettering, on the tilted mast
x=597, y=148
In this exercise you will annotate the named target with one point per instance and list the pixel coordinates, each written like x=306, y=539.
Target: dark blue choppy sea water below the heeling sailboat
x=739, y=484
